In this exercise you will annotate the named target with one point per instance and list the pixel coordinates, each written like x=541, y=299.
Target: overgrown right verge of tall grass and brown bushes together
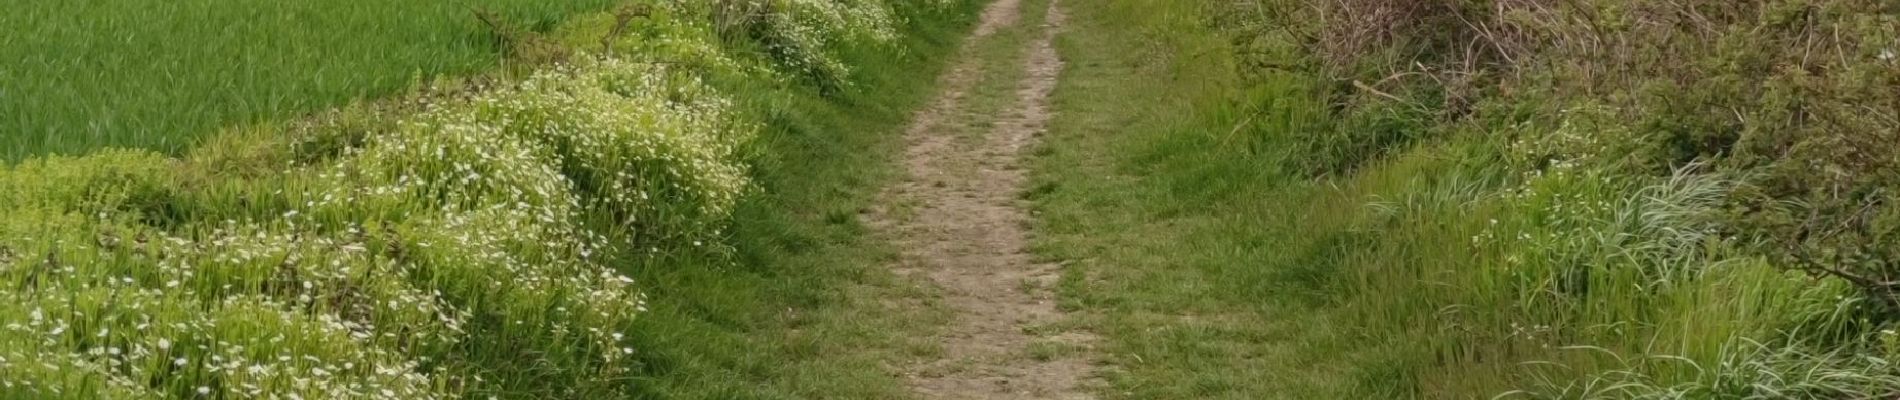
x=1652, y=183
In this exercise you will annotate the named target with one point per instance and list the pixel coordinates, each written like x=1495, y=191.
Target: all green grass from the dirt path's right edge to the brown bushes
x=1443, y=268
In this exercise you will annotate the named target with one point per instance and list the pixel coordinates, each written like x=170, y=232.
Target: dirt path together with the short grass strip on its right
x=1074, y=208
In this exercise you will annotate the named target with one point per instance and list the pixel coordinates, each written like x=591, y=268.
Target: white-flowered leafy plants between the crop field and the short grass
x=455, y=244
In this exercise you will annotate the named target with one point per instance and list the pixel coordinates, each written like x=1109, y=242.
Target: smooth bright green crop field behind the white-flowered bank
x=162, y=75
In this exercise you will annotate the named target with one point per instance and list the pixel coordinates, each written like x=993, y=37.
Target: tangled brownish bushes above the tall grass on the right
x=1779, y=92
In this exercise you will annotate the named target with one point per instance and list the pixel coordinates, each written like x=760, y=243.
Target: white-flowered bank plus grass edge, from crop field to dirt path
x=664, y=215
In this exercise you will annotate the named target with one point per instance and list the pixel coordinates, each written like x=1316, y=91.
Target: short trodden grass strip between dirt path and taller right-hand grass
x=1168, y=221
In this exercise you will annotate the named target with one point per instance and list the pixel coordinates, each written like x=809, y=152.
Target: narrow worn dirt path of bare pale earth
x=960, y=225
